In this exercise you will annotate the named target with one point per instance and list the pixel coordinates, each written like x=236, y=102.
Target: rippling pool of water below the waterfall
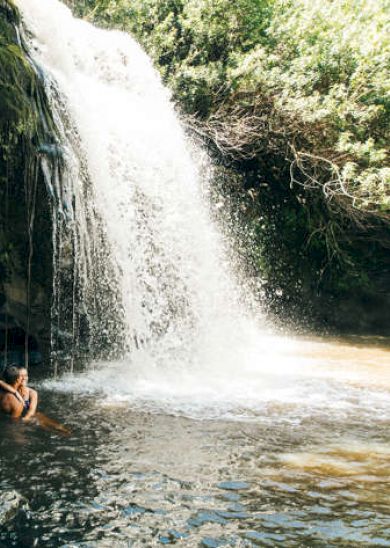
x=137, y=471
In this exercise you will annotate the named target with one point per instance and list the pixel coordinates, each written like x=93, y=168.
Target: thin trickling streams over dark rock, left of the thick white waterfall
x=85, y=312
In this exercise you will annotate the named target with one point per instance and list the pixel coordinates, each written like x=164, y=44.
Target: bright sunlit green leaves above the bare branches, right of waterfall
x=324, y=65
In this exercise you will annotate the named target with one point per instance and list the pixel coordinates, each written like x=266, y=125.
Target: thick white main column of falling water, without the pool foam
x=174, y=288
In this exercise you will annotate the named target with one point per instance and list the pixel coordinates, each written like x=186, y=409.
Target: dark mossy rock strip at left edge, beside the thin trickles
x=25, y=217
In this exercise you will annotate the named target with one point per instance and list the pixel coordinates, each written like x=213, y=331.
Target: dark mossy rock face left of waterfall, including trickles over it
x=43, y=304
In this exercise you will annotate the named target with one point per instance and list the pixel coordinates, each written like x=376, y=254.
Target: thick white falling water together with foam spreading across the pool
x=192, y=347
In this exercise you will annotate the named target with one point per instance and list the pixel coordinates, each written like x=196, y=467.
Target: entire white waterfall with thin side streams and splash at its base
x=138, y=204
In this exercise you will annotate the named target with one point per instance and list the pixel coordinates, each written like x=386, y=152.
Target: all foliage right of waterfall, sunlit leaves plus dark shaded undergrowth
x=295, y=96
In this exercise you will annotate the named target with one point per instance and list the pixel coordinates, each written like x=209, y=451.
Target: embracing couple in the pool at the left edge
x=16, y=399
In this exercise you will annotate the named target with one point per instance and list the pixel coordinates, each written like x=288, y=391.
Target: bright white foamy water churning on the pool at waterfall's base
x=302, y=379
